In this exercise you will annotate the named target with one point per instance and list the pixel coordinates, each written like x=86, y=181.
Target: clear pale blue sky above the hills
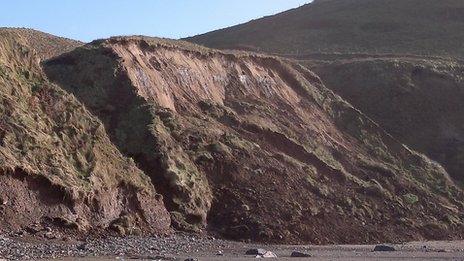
x=87, y=20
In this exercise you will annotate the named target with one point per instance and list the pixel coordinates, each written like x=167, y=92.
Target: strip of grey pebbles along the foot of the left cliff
x=138, y=247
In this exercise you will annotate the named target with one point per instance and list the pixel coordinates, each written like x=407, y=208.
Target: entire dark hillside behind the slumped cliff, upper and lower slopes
x=381, y=56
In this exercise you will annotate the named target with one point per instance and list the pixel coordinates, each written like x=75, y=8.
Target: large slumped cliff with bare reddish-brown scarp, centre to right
x=252, y=147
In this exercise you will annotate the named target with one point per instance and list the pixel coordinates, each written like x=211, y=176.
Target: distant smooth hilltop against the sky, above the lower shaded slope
x=422, y=27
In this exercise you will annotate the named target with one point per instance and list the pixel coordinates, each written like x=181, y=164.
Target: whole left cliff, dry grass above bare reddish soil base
x=58, y=167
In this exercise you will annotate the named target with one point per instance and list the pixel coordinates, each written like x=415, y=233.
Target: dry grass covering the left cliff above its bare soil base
x=45, y=131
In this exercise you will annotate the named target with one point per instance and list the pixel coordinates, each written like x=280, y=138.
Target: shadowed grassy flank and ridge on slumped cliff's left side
x=139, y=128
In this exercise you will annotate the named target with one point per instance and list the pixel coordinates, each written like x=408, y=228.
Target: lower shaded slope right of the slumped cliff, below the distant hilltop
x=418, y=101
